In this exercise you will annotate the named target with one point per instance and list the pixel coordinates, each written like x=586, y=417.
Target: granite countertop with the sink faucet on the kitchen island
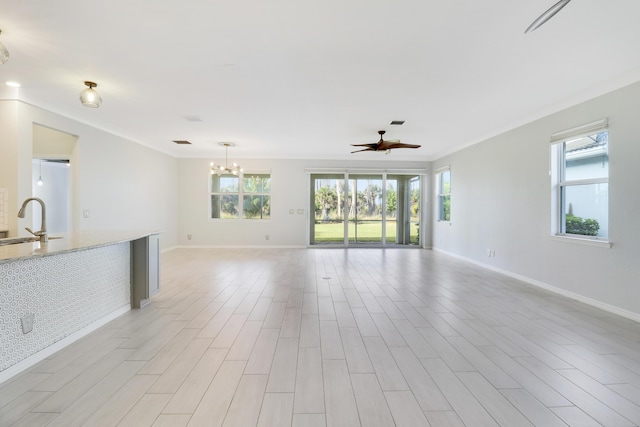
x=69, y=243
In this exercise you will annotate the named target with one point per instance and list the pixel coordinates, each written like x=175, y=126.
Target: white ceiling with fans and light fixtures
x=304, y=79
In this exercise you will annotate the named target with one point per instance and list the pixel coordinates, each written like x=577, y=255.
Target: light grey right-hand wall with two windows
x=501, y=200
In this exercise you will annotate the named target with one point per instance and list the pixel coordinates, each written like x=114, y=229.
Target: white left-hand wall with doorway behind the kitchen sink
x=123, y=185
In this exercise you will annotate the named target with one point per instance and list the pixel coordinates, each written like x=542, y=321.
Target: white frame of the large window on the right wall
x=559, y=183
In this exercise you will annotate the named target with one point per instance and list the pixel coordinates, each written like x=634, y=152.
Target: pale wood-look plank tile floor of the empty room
x=332, y=337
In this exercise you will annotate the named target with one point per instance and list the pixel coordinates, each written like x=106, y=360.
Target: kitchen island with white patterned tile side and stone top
x=53, y=293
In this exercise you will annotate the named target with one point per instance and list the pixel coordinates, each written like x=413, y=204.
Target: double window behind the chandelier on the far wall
x=245, y=196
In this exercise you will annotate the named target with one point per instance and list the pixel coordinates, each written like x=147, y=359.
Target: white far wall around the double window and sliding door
x=289, y=190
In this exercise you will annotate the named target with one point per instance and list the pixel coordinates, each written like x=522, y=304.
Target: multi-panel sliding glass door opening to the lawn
x=358, y=209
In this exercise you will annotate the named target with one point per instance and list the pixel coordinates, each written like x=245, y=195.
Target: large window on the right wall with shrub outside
x=580, y=180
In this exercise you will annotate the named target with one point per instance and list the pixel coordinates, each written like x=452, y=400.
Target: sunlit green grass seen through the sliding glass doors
x=368, y=232
